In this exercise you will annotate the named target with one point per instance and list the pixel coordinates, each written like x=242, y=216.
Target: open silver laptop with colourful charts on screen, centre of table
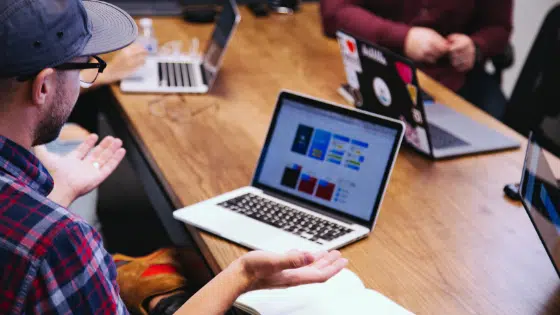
x=318, y=184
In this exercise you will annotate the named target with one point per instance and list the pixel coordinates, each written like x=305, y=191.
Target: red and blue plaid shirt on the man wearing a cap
x=51, y=261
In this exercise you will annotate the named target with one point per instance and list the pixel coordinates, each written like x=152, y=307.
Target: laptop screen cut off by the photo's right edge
x=540, y=194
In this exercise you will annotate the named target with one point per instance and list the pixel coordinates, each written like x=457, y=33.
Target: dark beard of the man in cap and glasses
x=49, y=128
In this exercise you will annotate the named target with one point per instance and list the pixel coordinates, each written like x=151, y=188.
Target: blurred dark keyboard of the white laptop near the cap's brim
x=176, y=74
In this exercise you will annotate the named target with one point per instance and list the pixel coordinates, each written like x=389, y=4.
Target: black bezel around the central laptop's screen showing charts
x=353, y=113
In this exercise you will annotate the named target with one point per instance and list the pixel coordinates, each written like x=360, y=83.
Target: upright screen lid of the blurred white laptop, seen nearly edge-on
x=227, y=22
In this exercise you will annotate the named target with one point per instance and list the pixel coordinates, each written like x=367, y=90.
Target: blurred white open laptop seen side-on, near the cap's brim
x=183, y=73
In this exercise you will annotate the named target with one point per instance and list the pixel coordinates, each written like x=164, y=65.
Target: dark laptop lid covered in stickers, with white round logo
x=385, y=83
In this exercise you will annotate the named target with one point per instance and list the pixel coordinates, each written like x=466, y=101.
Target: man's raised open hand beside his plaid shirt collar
x=81, y=170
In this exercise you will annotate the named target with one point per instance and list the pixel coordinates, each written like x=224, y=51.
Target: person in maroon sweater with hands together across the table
x=448, y=39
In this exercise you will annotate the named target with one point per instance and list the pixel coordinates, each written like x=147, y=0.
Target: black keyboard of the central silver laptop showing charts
x=286, y=218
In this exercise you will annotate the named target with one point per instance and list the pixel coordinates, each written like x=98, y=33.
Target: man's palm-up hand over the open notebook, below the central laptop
x=266, y=270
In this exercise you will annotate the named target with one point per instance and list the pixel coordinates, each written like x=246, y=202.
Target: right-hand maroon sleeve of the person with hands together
x=493, y=26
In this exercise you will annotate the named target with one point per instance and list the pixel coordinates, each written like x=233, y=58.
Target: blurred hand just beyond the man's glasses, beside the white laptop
x=125, y=62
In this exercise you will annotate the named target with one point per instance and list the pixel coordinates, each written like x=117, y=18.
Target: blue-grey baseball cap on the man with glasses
x=38, y=34
